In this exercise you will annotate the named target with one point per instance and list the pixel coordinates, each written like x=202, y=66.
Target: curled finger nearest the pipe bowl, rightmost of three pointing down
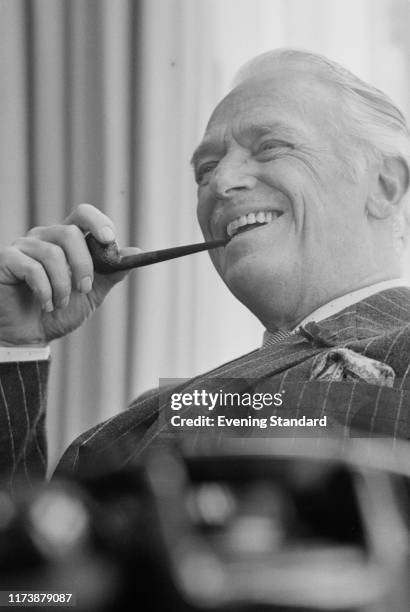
x=71, y=241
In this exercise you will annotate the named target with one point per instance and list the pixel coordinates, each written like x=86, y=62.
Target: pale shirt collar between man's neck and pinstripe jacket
x=332, y=308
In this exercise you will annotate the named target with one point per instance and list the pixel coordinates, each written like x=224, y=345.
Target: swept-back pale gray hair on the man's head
x=376, y=124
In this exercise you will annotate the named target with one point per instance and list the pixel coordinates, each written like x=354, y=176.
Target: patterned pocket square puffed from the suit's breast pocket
x=341, y=364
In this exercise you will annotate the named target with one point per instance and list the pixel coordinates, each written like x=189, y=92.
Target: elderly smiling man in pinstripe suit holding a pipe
x=306, y=168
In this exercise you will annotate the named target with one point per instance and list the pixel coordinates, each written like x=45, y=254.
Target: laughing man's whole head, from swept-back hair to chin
x=280, y=157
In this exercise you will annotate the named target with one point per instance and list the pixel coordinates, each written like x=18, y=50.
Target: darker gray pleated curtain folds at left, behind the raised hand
x=68, y=75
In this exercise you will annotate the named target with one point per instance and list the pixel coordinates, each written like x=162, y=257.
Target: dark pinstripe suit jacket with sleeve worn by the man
x=377, y=328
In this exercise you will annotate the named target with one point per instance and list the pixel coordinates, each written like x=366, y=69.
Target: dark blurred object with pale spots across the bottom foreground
x=255, y=525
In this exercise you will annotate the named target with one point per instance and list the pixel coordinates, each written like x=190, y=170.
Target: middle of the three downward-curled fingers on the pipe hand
x=54, y=262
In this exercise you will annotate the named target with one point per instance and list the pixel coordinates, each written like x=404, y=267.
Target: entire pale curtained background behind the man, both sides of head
x=103, y=102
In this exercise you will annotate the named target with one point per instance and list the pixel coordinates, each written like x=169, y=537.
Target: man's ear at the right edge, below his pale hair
x=392, y=183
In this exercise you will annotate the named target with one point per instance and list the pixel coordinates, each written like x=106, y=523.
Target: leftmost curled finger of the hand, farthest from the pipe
x=17, y=266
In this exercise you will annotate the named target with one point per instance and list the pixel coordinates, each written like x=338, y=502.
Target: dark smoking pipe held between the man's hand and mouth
x=107, y=258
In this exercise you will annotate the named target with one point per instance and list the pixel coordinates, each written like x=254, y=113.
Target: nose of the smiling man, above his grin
x=232, y=174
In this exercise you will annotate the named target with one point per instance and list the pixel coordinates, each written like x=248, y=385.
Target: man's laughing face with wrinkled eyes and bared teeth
x=271, y=173
